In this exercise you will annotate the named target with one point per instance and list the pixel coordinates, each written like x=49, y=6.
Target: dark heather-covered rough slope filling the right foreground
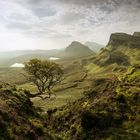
x=110, y=110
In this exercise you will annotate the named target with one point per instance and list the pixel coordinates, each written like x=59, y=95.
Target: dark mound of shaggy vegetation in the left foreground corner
x=16, y=107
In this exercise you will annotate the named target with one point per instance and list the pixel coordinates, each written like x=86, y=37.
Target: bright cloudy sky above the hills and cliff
x=54, y=24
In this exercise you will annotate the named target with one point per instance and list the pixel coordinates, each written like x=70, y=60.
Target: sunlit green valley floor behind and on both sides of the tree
x=78, y=79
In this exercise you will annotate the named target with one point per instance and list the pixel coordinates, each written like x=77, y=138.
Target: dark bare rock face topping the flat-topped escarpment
x=122, y=39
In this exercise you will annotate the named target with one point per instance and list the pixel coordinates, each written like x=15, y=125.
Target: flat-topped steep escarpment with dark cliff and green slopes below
x=122, y=49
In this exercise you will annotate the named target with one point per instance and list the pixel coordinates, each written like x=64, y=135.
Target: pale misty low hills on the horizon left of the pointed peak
x=11, y=57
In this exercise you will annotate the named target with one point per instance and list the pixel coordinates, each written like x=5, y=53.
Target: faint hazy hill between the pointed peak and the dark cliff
x=94, y=46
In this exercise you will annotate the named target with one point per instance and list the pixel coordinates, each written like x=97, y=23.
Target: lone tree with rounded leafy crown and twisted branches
x=44, y=74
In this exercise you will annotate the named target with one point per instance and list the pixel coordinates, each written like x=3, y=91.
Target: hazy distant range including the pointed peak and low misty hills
x=74, y=50
